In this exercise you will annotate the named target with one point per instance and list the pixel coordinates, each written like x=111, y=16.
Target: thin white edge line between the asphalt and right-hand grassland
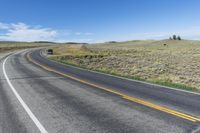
x=196, y=93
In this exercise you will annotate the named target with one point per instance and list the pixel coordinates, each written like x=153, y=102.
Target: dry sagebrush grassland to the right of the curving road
x=175, y=65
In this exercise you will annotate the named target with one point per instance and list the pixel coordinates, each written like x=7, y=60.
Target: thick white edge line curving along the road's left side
x=24, y=105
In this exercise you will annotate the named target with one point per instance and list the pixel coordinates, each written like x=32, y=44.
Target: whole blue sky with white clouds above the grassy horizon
x=98, y=20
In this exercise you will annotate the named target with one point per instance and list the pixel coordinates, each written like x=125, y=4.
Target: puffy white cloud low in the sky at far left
x=24, y=32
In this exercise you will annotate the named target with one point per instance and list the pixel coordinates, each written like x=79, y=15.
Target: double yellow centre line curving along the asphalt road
x=130, y=98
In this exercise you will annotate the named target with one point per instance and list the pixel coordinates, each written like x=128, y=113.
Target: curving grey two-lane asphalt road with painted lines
x=36, y=100
